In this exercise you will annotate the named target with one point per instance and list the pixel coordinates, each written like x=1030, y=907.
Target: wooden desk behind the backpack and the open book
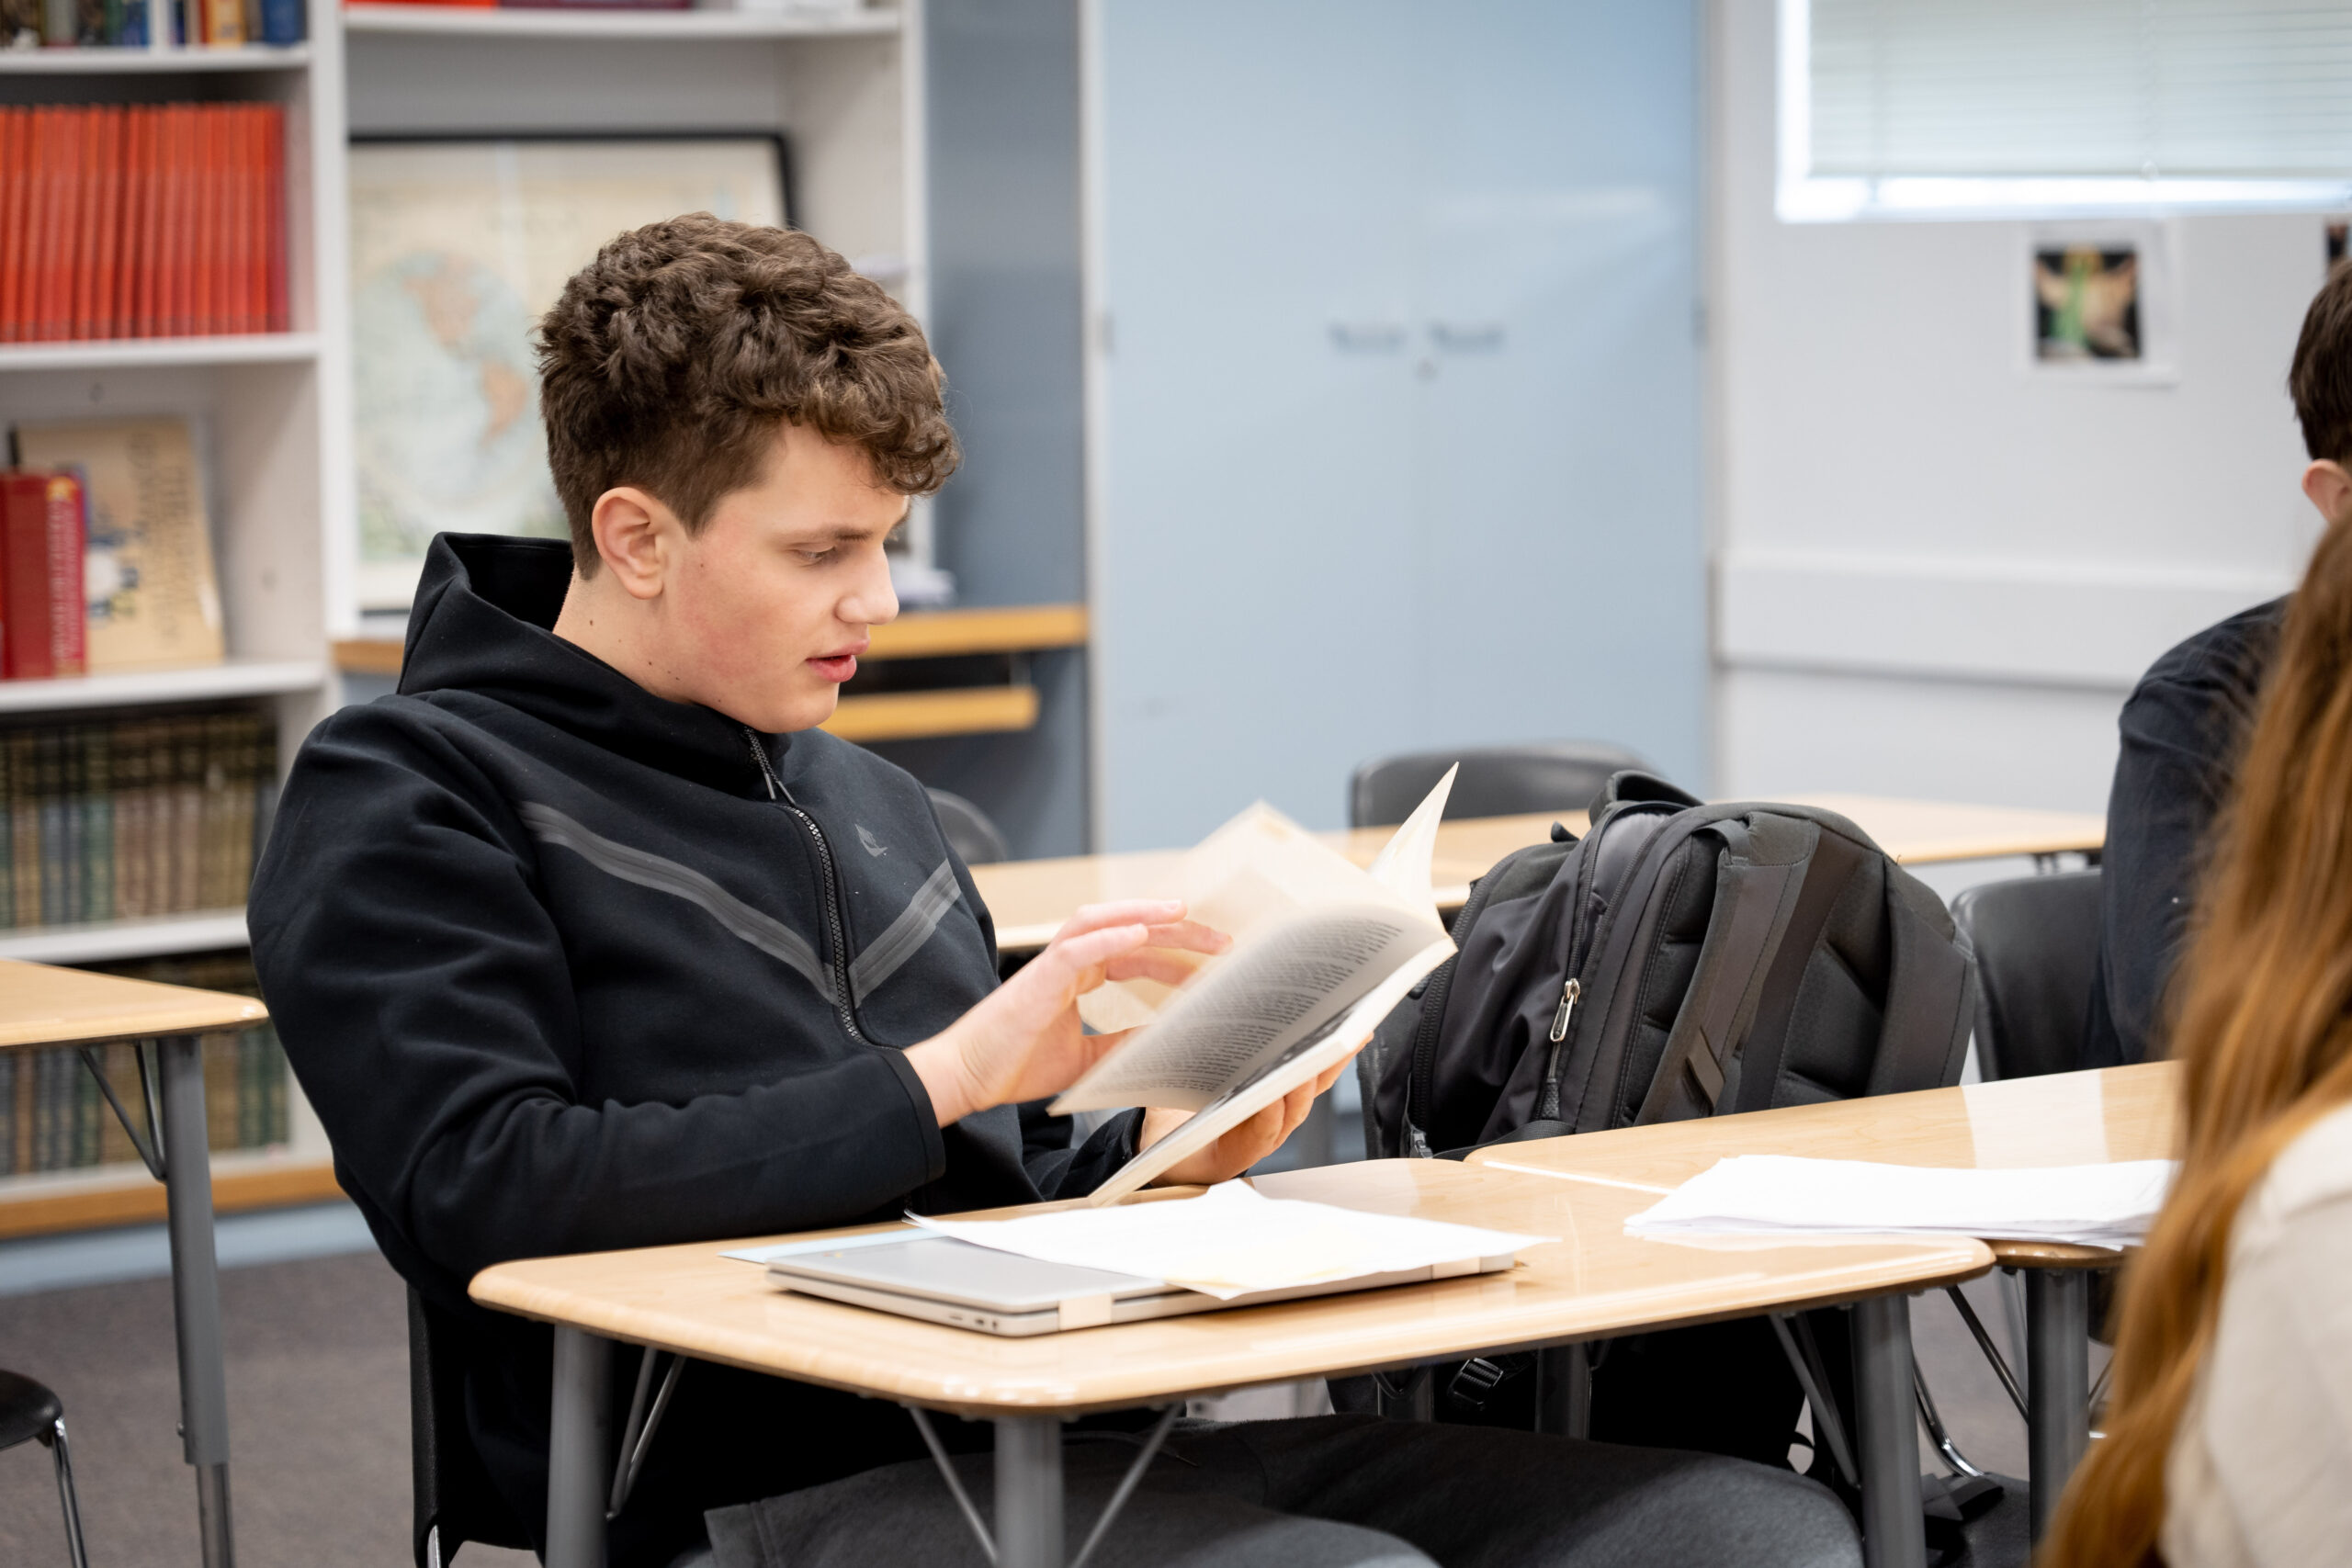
x=1031, y=899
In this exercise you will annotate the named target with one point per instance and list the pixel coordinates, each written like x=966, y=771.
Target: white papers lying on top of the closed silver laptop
x=1231, y=1242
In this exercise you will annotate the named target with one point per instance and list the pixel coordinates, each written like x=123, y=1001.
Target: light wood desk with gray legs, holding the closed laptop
x=1593, y=1282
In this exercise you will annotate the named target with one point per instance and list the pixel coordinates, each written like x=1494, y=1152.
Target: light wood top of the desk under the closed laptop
x=1593, y=1282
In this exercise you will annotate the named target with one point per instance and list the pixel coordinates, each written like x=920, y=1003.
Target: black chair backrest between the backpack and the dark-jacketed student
x=2036, y=960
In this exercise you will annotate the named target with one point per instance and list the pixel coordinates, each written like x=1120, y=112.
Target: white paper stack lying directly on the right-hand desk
x=1775, y=1193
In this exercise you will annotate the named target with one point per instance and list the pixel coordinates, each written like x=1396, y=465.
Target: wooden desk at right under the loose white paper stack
x=2059, y=1120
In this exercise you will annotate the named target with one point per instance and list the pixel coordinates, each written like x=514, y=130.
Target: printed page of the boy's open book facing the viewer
x=1234, y=1024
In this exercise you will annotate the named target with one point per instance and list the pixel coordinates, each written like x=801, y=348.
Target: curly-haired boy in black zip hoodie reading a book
x=589, y=939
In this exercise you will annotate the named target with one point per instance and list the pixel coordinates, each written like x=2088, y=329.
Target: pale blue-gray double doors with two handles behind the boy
x=1403, y=394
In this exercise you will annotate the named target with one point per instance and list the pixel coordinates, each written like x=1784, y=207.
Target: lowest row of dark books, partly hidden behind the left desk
x=53, y=1115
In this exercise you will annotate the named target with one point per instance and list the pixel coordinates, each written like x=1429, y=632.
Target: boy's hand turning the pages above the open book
x=1024, y=1043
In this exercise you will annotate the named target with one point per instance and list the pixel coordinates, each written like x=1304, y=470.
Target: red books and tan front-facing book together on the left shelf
x=105, y=551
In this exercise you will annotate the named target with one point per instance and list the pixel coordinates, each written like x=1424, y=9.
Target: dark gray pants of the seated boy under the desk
x=1335, y=1492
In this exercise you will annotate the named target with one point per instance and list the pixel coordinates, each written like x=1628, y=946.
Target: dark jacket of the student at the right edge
x=2181, y=730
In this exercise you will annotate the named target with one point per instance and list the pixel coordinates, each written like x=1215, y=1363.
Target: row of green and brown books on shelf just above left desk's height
x=131, y=817
